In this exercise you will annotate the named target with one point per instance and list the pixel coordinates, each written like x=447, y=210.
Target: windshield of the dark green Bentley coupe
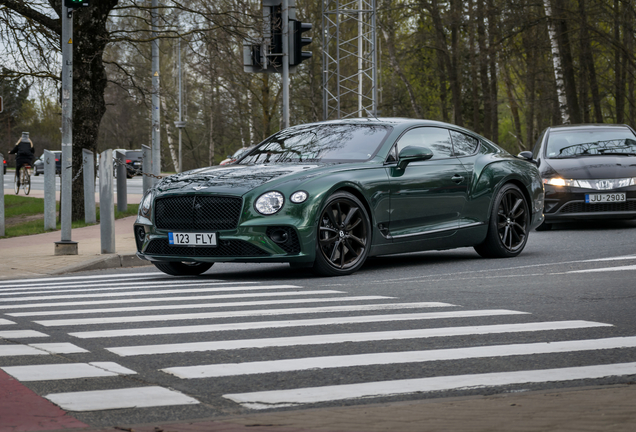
x=328, y=143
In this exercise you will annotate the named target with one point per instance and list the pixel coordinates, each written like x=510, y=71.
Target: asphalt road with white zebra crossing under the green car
x=564, y=306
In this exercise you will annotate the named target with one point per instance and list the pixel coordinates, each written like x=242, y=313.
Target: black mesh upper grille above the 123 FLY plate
x=190, y=212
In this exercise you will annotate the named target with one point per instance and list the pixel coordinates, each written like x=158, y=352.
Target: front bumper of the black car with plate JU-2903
x=563, y=204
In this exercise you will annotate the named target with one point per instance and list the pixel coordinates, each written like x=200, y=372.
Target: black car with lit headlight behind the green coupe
x=588, y=171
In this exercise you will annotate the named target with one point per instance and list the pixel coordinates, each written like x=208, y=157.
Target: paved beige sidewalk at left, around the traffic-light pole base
x=33, y=256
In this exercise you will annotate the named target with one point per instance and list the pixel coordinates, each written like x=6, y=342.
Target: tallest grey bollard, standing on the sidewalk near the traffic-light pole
x=107, y=209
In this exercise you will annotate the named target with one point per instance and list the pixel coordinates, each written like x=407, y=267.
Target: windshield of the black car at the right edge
x=591, y=142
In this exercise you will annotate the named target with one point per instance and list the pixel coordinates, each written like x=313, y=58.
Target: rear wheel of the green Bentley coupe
x=508, y=225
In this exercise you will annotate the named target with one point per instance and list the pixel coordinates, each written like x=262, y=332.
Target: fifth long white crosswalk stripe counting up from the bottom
x=234, y=314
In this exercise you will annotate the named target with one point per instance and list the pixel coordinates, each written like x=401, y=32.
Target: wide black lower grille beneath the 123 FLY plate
x=226, y=248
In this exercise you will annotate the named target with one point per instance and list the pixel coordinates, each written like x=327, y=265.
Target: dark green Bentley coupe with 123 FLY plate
x=328, y=195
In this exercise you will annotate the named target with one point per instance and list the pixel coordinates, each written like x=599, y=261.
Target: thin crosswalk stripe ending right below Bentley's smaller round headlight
x=150, y=292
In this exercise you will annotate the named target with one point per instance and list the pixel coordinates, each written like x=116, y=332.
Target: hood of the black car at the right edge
x=591, y=167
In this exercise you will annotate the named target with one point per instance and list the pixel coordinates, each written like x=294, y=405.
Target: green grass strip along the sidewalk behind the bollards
x=17, y=206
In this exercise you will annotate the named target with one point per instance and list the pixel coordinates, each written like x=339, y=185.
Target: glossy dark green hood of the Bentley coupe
x=232, y=179
